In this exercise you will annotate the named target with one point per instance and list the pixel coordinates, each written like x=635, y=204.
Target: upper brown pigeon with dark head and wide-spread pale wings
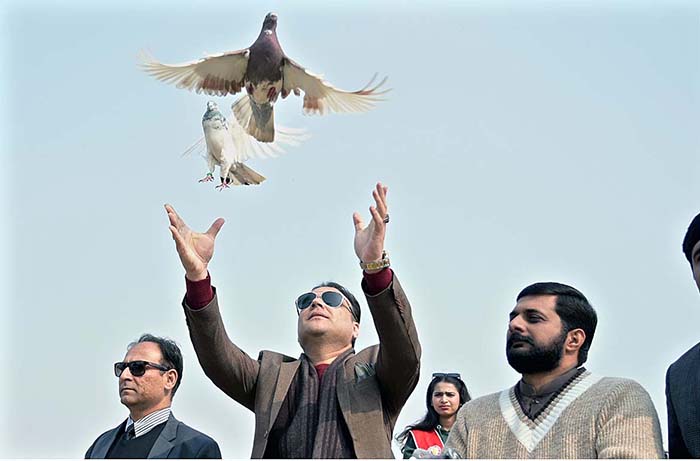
x=265, y=72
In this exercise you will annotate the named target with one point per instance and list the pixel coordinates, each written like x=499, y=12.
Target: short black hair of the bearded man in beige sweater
x=572, y=307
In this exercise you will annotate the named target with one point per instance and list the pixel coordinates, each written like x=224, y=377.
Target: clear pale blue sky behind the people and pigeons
x=522, y=142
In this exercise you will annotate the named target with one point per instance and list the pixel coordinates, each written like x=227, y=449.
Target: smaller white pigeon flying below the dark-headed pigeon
x=228, y=146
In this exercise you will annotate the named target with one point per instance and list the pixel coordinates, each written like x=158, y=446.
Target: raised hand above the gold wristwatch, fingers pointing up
x=369, y=240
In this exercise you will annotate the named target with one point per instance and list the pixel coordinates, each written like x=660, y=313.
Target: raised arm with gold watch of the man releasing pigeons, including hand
x=398, y=362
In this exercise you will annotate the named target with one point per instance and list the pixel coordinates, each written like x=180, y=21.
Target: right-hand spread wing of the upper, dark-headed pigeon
x=321, y=97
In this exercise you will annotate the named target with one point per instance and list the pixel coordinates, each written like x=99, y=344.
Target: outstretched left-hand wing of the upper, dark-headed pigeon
x=217, y=75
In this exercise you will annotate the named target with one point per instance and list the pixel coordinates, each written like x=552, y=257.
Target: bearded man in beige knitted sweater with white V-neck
x=558, y=409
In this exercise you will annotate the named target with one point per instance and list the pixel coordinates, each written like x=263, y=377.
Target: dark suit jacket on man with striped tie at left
x=176, y=441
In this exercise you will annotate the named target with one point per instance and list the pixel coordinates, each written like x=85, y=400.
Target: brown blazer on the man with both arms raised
x=378, y=379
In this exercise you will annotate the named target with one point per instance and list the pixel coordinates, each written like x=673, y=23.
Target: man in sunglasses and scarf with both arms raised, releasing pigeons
x=331, y=402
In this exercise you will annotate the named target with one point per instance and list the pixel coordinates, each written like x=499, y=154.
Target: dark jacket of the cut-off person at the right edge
x=683, y=405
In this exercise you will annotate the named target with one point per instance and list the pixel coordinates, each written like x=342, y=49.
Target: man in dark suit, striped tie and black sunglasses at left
x=148, y=378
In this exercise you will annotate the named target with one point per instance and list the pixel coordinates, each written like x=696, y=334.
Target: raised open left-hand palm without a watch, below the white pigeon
x=195, y=249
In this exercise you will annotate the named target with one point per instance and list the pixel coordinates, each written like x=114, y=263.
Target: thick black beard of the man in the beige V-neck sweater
x=538, y=359
